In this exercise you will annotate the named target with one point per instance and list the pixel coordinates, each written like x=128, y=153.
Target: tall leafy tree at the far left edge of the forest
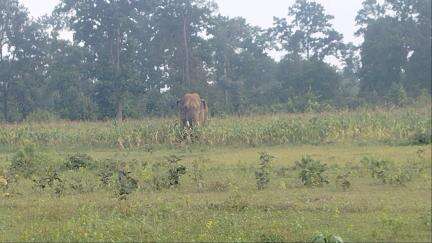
x=22, y=42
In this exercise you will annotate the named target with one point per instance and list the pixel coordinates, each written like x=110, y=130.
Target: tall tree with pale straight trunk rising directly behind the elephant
x=181, y=25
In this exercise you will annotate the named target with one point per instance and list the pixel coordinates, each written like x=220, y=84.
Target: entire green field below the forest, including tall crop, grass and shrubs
x=386, y=199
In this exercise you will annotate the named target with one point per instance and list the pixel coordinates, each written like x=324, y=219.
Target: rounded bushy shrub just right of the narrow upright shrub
x=312, y=171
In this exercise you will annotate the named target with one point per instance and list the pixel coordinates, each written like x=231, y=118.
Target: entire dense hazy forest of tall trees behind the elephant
x=134, y=58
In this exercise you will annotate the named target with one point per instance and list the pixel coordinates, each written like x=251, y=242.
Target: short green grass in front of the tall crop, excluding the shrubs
x=369, y=211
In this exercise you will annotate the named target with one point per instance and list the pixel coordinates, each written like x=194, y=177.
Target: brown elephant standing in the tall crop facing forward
x=193, y=110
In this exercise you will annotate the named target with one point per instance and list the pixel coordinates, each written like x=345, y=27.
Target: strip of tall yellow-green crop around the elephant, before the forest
x=366, y=125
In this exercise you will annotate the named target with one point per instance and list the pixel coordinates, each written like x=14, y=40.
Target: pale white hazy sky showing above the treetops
x=256, y=12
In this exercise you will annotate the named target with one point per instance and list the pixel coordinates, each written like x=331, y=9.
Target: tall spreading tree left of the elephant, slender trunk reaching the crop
x=106, y=29
